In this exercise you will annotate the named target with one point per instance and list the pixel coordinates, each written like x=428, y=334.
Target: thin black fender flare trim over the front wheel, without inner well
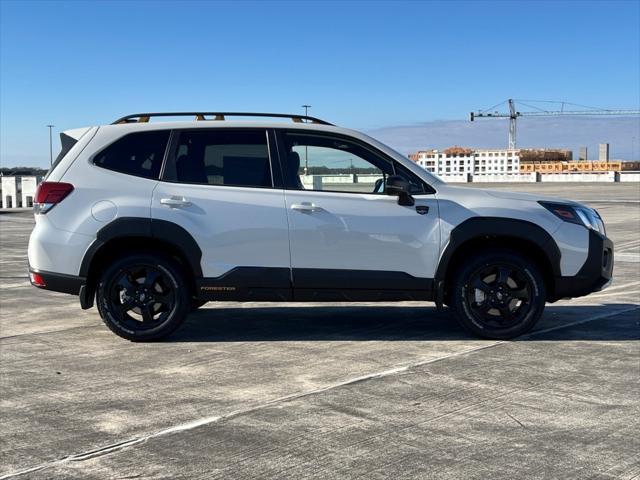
x=497, y=227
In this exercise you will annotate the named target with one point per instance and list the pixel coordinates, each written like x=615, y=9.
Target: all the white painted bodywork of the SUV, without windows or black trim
x=258, y=227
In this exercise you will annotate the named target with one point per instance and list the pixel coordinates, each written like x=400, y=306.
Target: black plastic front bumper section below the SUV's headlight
x=595, y=274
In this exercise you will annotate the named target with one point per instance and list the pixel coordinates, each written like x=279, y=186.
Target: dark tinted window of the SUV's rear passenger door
x=221, y=157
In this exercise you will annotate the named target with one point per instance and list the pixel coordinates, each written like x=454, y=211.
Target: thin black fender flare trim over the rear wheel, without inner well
x=166, y=231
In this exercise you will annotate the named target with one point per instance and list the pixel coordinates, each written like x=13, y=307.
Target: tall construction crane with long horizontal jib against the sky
x=513, y=113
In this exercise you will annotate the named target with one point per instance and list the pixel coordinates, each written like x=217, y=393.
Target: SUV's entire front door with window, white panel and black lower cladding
x=348, y=238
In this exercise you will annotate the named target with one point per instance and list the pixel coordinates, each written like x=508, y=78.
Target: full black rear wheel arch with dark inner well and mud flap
x=131, y=233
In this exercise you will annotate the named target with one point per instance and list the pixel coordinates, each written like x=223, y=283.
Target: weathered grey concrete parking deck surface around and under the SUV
x=317, y=391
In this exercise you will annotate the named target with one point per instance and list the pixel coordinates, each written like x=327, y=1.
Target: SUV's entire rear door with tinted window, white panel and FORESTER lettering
x=219, y=185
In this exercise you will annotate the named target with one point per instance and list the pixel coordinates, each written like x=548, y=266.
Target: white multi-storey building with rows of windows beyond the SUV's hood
x=457, y=160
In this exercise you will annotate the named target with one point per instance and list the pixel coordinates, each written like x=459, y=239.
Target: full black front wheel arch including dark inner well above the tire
x=480, y=233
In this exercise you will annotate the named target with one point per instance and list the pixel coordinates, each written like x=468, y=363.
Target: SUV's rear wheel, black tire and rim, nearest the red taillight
x=143, y=297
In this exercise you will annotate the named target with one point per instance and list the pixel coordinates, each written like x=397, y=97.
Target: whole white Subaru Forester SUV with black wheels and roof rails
x=153, y=219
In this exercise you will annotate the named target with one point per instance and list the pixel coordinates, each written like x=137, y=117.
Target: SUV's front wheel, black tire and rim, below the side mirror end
x=498, y=295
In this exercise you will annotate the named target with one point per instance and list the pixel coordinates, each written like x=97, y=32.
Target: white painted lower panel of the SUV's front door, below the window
x=362, y=232
